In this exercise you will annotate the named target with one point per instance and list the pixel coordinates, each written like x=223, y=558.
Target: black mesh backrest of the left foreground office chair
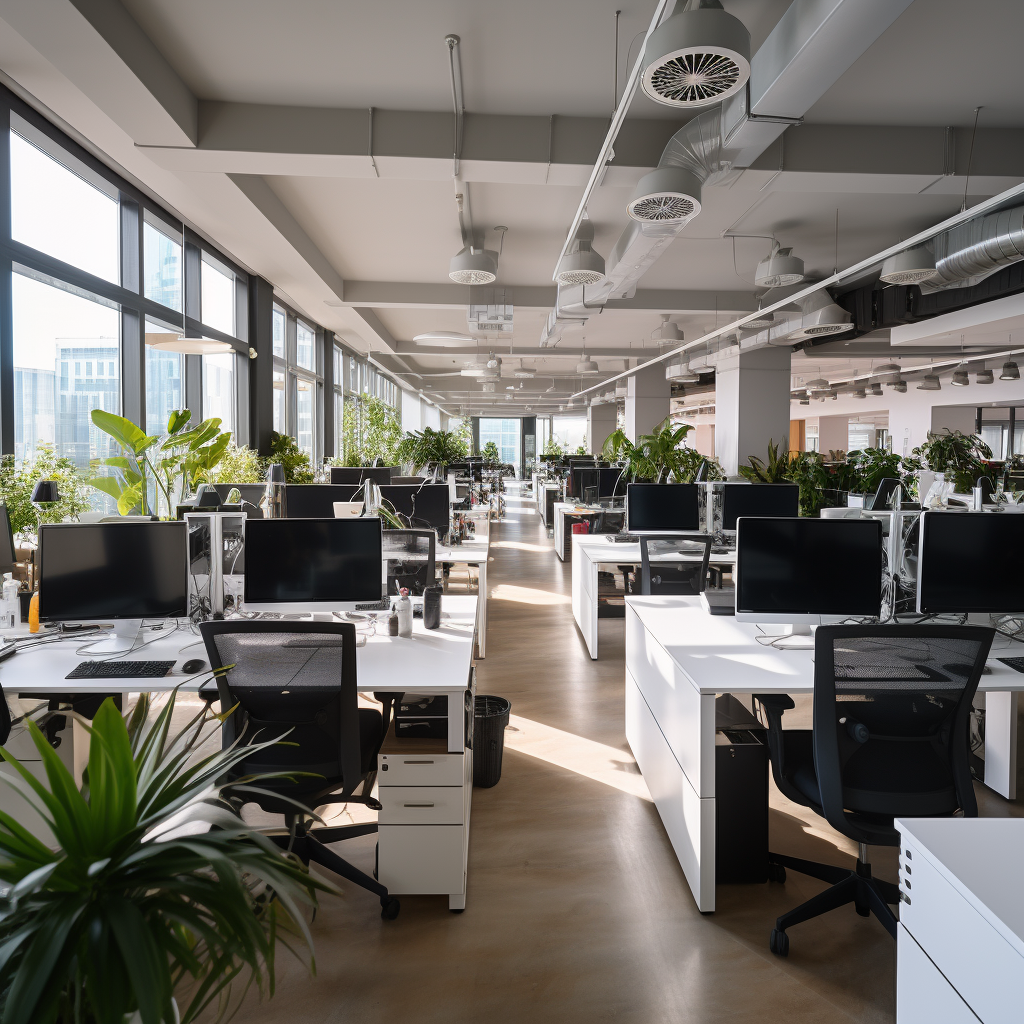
x=295, y=681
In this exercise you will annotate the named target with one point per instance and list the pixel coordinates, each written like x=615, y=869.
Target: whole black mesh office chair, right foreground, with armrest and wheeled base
x=891, y=739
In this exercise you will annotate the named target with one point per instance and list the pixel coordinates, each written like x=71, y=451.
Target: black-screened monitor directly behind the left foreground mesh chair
x=301, y=564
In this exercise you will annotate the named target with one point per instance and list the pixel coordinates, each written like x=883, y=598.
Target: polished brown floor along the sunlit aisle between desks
x=577, y=908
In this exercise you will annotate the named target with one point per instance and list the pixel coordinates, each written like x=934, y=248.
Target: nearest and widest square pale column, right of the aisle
x=752, y=406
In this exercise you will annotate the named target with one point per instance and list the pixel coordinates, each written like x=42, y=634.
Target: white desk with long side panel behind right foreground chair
x=678, y=659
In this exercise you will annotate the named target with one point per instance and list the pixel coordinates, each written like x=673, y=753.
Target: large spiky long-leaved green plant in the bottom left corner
x=133, y=909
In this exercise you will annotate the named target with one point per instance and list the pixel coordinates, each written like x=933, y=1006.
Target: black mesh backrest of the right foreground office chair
x=892, y=709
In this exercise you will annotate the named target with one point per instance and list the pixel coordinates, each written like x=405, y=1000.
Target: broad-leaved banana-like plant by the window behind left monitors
x=174, y=463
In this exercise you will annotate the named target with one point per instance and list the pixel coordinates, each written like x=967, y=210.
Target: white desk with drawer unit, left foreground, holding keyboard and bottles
x=429, y=856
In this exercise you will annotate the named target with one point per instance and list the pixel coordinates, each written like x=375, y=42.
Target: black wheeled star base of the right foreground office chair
x=870, y=895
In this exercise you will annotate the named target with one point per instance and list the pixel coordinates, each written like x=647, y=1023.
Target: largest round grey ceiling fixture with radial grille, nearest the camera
x=700, y=56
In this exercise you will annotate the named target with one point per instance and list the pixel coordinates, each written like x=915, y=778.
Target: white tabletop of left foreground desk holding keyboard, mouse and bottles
x=430, y=661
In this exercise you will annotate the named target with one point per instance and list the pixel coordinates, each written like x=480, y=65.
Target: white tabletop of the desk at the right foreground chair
x=720, y=655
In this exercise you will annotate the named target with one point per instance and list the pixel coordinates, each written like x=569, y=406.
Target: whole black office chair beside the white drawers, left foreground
x=296, y=681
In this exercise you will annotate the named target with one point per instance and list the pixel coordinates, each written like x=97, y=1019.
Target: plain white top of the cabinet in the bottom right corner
x=982, y=859
